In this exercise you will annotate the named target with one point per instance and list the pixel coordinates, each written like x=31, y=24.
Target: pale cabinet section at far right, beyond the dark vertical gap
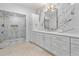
x=74, y=47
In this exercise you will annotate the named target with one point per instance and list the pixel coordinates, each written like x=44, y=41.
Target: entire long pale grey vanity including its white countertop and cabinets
x=60, y=44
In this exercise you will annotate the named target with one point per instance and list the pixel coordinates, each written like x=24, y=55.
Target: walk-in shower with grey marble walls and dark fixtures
x=12, y=28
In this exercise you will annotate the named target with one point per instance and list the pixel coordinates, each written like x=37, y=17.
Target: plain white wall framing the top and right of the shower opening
x=19, y=9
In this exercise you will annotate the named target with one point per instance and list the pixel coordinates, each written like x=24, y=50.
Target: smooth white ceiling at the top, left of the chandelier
x=33, y=6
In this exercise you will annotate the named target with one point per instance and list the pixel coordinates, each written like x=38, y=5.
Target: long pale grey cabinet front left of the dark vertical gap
x=56, y=44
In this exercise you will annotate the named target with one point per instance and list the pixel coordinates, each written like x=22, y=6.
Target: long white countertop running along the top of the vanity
x=72, y=35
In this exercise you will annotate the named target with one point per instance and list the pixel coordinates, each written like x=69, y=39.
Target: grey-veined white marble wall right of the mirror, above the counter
x=64, y=13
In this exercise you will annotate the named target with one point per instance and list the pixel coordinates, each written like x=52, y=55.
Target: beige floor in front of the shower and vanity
x=23, y=49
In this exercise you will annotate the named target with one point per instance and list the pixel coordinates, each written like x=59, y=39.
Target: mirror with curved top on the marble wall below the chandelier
x=50, y=20
